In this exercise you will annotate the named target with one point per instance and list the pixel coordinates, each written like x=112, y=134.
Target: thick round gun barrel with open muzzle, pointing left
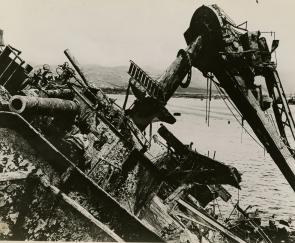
x=45, y=106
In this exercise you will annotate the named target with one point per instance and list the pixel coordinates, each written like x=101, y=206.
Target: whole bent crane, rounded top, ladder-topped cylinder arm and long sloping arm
x=236, y=57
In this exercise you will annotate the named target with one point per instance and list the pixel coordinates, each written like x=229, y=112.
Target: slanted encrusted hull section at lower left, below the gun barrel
x=34, y=208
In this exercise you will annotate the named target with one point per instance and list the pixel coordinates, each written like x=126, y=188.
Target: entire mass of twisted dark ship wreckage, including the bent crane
x=75, y=166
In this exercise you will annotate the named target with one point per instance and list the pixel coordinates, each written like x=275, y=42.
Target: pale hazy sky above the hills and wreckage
x=150, y=32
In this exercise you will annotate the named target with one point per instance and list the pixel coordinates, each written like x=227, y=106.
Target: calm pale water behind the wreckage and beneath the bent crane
x=263, y=185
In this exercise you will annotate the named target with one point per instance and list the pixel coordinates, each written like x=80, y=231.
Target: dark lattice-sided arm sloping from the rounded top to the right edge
x=236, y=58
